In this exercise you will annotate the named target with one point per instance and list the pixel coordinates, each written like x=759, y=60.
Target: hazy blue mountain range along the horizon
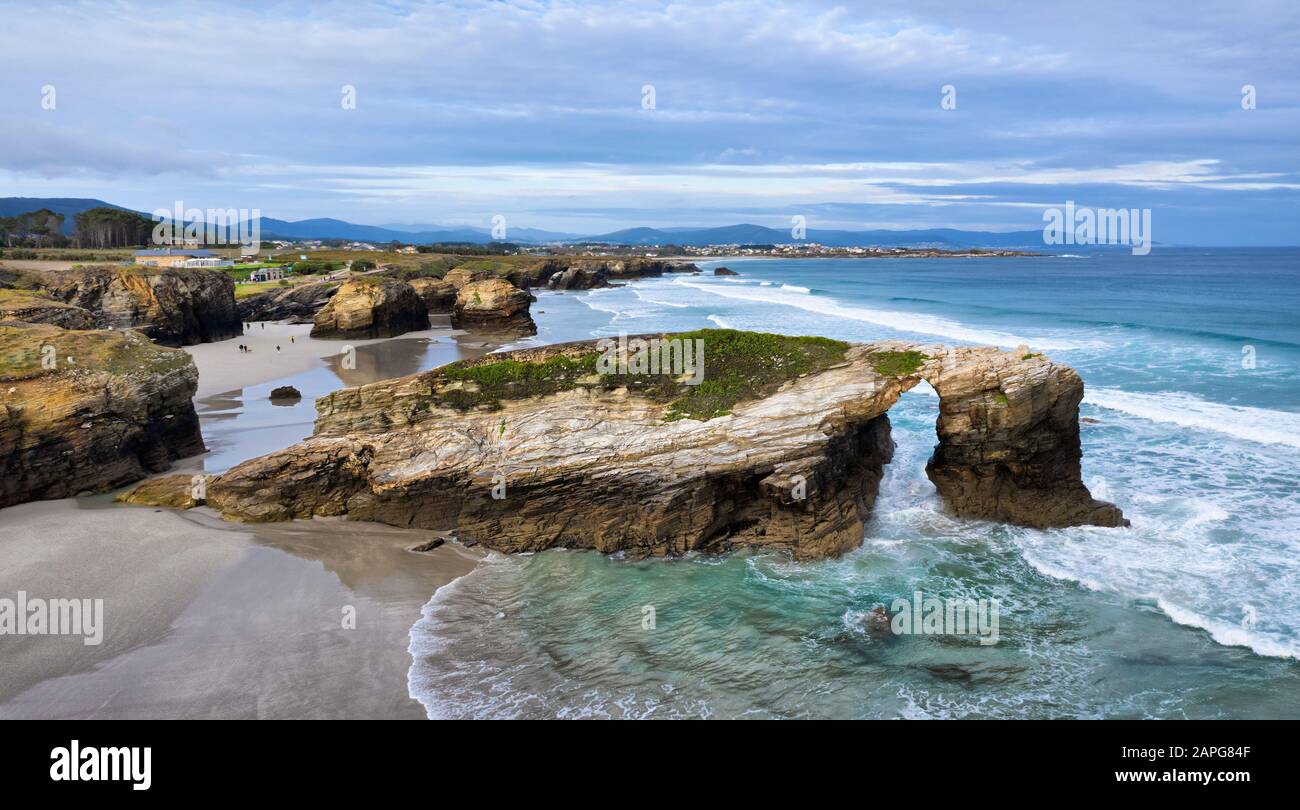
x=692, y=237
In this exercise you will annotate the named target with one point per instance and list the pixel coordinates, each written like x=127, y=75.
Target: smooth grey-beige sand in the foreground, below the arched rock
x=210, y=620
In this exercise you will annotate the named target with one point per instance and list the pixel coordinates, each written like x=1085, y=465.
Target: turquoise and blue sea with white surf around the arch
x=1194, y=612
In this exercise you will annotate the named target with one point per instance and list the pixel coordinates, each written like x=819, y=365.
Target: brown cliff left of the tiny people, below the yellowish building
x=174, y=307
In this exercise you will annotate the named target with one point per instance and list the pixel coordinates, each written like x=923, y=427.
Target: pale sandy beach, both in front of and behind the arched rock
x=214, y=620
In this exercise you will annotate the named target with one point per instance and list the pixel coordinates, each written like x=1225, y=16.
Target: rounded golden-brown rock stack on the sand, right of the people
x=371, y=307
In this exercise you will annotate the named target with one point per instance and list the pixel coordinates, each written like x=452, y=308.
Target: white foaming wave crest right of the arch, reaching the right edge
x=1262, y=426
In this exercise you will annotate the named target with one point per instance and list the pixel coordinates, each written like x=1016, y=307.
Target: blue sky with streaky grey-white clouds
x=588, y=118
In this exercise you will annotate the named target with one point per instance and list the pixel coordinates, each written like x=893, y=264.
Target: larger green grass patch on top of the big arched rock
x=739, y=366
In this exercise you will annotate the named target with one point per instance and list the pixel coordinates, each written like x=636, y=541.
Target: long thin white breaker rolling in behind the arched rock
x=902, y=322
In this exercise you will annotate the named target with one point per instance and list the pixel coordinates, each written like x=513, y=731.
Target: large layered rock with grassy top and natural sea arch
x=539, y=449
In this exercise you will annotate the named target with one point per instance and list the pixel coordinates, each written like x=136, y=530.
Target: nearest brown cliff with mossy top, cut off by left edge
x=88, y=412
